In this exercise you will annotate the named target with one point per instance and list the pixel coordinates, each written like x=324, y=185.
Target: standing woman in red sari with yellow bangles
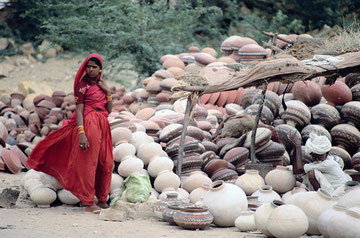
x=79, y=154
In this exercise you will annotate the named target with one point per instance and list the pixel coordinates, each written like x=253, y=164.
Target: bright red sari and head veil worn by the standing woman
x=84, y=173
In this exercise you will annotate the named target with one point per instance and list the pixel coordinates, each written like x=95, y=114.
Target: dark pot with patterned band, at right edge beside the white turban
x=346, y=136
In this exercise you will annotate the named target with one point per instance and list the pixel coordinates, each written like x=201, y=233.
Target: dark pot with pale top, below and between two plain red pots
x=326, y=115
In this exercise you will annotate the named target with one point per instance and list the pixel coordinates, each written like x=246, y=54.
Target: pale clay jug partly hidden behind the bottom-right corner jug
x=325, y=219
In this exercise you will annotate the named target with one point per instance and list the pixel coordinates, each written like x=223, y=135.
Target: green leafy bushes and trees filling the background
x=141, y=31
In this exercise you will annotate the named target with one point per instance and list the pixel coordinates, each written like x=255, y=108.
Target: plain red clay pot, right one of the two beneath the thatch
x=337, y=94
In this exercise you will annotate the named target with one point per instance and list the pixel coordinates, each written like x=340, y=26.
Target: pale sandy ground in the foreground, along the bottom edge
x=26, y=220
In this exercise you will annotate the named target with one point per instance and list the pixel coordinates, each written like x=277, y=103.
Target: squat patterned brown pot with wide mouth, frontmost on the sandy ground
x=191, y=217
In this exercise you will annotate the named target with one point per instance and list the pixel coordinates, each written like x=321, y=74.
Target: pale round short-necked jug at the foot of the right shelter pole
x=281, y=179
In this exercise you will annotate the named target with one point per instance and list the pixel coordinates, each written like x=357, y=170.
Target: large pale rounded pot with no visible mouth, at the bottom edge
x=287, y=221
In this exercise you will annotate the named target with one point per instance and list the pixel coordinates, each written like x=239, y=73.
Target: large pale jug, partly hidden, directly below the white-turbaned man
x=313, y=204
